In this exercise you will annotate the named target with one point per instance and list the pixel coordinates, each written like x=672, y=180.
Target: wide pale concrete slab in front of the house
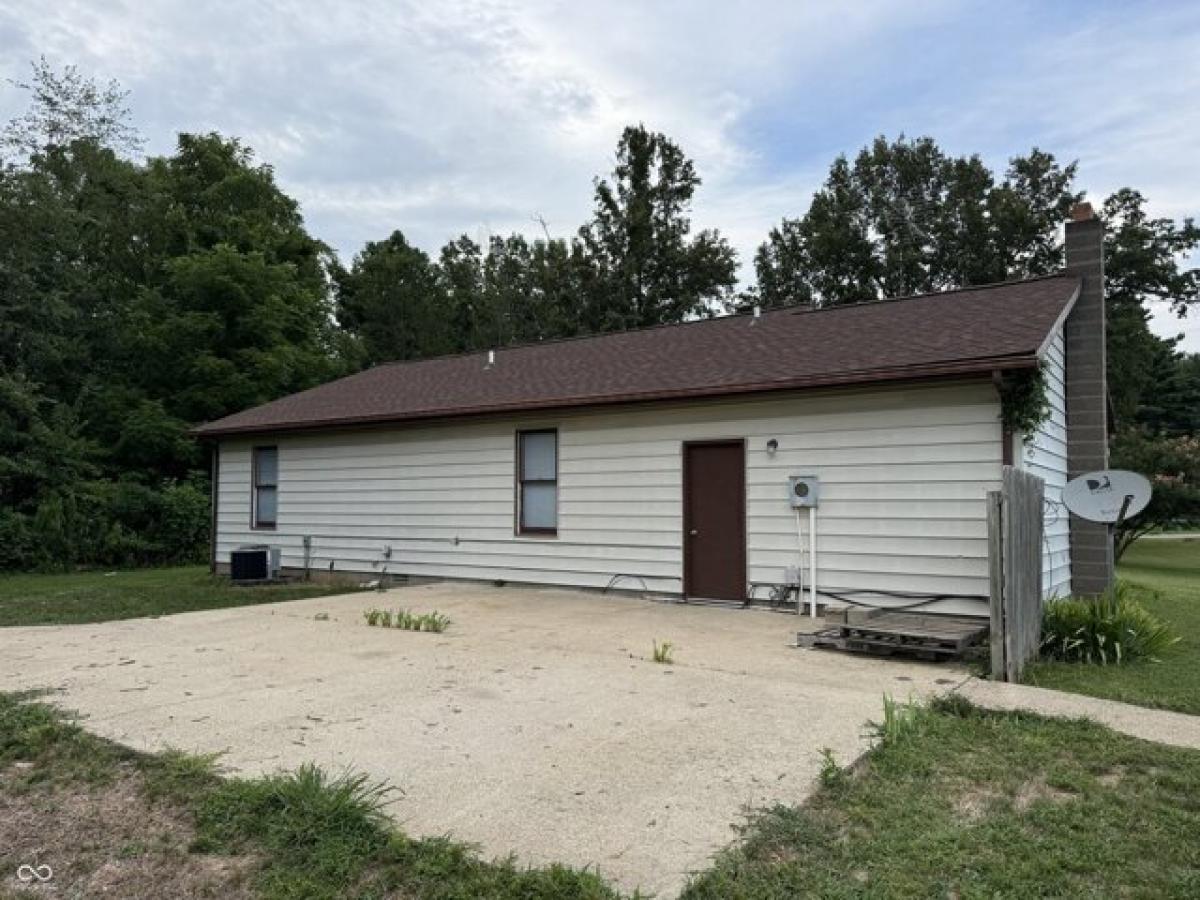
x=536, y=725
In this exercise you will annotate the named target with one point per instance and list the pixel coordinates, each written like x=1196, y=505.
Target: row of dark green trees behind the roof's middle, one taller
x=635, y=263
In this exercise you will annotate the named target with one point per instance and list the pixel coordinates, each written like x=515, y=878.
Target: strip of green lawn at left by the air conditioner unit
x=101, y=597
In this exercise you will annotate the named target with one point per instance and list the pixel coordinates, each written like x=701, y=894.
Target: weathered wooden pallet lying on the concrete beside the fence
x=887, y=634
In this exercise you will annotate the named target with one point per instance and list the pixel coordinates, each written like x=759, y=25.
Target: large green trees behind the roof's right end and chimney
x=905, y=218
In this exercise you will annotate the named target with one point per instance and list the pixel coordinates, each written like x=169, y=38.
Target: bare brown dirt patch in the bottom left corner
x=107, y=841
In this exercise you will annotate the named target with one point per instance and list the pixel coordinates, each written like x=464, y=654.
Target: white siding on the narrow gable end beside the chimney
x=1046, y=457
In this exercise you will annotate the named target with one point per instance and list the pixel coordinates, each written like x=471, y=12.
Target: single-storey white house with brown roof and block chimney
x=659, y=459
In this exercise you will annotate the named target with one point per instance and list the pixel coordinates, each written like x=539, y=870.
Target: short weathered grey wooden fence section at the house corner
x=1015, y=551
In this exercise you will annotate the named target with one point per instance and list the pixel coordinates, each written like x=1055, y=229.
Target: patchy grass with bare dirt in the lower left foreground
x=115, y=823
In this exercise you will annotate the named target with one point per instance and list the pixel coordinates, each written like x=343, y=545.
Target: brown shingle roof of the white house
x=969, y=332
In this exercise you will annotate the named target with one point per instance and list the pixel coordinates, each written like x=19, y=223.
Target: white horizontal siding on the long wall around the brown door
x=905, y=473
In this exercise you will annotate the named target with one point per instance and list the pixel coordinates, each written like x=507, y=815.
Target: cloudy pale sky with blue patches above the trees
x=446, y=118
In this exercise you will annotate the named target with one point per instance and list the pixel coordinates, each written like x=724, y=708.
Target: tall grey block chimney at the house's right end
x=1088, y=448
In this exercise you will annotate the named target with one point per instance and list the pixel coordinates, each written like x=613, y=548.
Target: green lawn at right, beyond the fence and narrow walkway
x=1172, y=569
